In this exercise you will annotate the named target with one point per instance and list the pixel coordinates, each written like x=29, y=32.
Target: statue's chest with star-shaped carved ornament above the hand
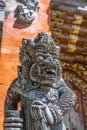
x=47, y=96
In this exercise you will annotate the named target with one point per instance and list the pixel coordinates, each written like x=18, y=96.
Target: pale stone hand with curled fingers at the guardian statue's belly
x=39, y=110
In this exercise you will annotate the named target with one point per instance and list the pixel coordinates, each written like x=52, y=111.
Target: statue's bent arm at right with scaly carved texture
x=66, y=101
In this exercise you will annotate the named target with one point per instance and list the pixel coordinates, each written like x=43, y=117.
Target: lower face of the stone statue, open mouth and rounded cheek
x=46, y=74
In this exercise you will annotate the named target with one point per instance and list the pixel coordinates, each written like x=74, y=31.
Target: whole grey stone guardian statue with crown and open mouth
x=44, y=96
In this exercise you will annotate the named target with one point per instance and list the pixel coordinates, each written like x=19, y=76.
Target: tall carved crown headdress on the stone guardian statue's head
x=42, y=43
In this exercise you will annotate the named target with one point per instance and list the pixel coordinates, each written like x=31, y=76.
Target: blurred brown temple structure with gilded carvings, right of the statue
x=68, y=27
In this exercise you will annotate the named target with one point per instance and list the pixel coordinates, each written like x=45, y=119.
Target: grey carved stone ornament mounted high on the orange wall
x=27, y=10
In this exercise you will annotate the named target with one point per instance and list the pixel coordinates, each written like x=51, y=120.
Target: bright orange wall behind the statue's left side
x=11, y=40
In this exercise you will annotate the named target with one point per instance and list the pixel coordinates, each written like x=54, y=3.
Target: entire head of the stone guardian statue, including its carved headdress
x=39, y=59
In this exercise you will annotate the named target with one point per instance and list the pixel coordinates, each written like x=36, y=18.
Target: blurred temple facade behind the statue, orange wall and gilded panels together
x=67, y=24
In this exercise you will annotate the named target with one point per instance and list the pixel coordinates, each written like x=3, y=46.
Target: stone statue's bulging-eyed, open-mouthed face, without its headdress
x=44, y=69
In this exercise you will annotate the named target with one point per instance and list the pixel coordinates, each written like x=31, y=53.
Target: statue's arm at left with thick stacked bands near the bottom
x=12, y=118
